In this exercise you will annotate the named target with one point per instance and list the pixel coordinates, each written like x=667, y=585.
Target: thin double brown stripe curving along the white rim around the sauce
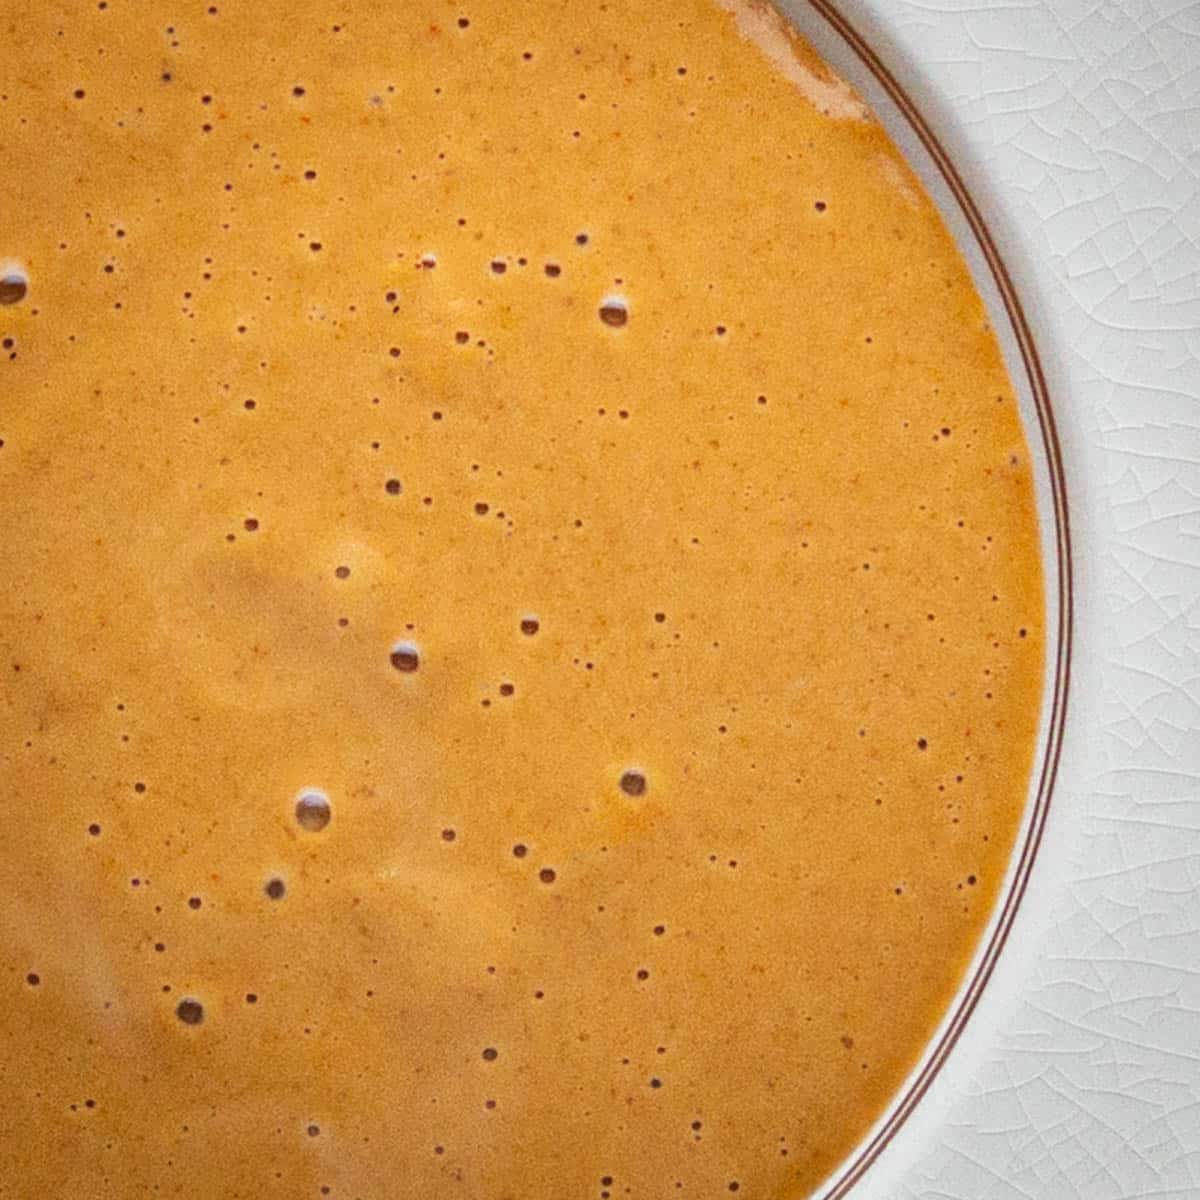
x=867, y=1156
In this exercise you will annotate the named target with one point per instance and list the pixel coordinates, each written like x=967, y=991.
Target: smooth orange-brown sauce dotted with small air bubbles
x=777, y=531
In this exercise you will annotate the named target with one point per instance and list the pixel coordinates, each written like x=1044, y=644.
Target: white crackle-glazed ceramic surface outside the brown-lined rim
x=1077, y=127
